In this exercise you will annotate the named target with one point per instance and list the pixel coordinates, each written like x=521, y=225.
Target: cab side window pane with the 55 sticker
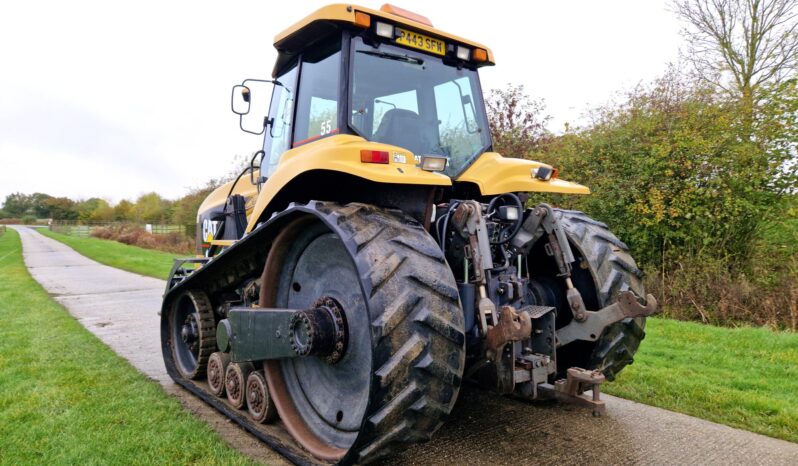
x=317, y=102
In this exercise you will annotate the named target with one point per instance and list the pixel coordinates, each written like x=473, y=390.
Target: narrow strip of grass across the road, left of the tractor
x=147, y=262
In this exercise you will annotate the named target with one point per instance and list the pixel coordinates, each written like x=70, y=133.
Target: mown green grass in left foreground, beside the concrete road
x=66, y=398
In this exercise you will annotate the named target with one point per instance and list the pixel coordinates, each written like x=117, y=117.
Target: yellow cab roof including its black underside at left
x=319, y=25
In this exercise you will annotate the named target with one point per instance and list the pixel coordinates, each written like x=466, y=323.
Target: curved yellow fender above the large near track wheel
x=341, y=153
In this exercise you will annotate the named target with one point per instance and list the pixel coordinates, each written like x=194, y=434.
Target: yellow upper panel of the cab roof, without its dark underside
x=346, y=14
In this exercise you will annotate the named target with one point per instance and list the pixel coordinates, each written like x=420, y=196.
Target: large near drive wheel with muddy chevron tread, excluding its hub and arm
x=402, y=366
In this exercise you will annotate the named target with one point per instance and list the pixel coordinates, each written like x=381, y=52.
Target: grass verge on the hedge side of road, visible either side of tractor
x=745, y=377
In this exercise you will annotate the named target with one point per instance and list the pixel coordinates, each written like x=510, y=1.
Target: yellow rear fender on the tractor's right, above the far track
x=494, y=174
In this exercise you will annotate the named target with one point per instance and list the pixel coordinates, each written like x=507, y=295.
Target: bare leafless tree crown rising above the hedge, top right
x=741, y=46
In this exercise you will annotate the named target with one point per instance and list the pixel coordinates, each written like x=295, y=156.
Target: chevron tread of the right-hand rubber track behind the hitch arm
x=614, y=271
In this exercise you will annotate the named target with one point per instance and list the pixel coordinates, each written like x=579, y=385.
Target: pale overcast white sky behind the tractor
x=116, y=99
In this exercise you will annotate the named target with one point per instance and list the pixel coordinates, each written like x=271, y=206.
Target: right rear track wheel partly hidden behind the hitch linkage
x=603, y=268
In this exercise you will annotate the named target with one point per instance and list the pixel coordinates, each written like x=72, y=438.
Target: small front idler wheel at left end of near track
x=192, y=333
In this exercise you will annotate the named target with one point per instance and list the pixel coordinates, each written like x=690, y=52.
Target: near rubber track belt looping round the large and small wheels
x=416, y=324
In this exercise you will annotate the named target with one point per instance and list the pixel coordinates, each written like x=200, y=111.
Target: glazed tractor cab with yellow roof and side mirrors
x=385, y=76
